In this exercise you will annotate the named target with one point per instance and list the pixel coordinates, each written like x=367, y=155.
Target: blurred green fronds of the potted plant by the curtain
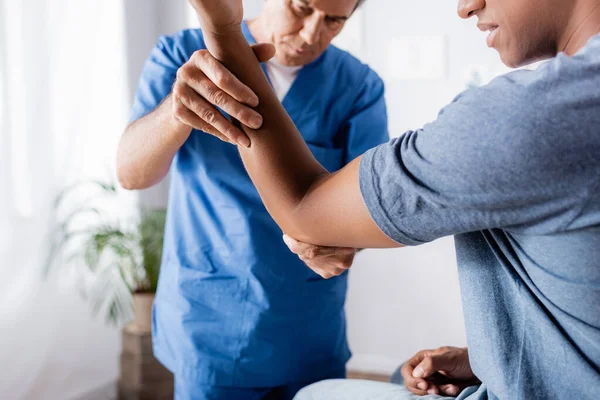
x=115, y=258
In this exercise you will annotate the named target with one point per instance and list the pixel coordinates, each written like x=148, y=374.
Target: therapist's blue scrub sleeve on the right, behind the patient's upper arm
x=367, y=126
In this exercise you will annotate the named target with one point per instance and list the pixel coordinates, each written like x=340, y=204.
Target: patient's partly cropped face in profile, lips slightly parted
x=522, y=31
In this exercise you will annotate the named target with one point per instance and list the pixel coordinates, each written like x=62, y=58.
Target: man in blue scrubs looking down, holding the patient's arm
x=237, y=315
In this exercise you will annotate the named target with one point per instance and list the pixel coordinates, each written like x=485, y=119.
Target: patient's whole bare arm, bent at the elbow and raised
x=307, y=202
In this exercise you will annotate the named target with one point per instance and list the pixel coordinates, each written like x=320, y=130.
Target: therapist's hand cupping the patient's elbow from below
x=325, y=261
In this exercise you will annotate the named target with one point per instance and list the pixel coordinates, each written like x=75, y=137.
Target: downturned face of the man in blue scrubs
x=301, y=30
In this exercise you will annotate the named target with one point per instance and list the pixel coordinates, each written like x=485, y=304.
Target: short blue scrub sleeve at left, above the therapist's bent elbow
x=158, y=76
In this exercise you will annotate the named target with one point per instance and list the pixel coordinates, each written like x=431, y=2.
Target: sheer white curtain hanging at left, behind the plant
x=63, y=105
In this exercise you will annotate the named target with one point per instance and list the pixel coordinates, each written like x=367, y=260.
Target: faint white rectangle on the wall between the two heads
x=417, y=57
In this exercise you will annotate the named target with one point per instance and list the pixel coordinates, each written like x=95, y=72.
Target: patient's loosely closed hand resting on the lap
x=443, y=371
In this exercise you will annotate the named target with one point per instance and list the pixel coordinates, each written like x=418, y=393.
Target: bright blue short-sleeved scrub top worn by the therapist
x=234, y=306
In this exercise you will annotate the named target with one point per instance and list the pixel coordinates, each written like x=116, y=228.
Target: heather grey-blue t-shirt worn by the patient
x=511, y=169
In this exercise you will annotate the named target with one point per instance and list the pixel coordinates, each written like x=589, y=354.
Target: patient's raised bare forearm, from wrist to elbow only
x=279, y=162
